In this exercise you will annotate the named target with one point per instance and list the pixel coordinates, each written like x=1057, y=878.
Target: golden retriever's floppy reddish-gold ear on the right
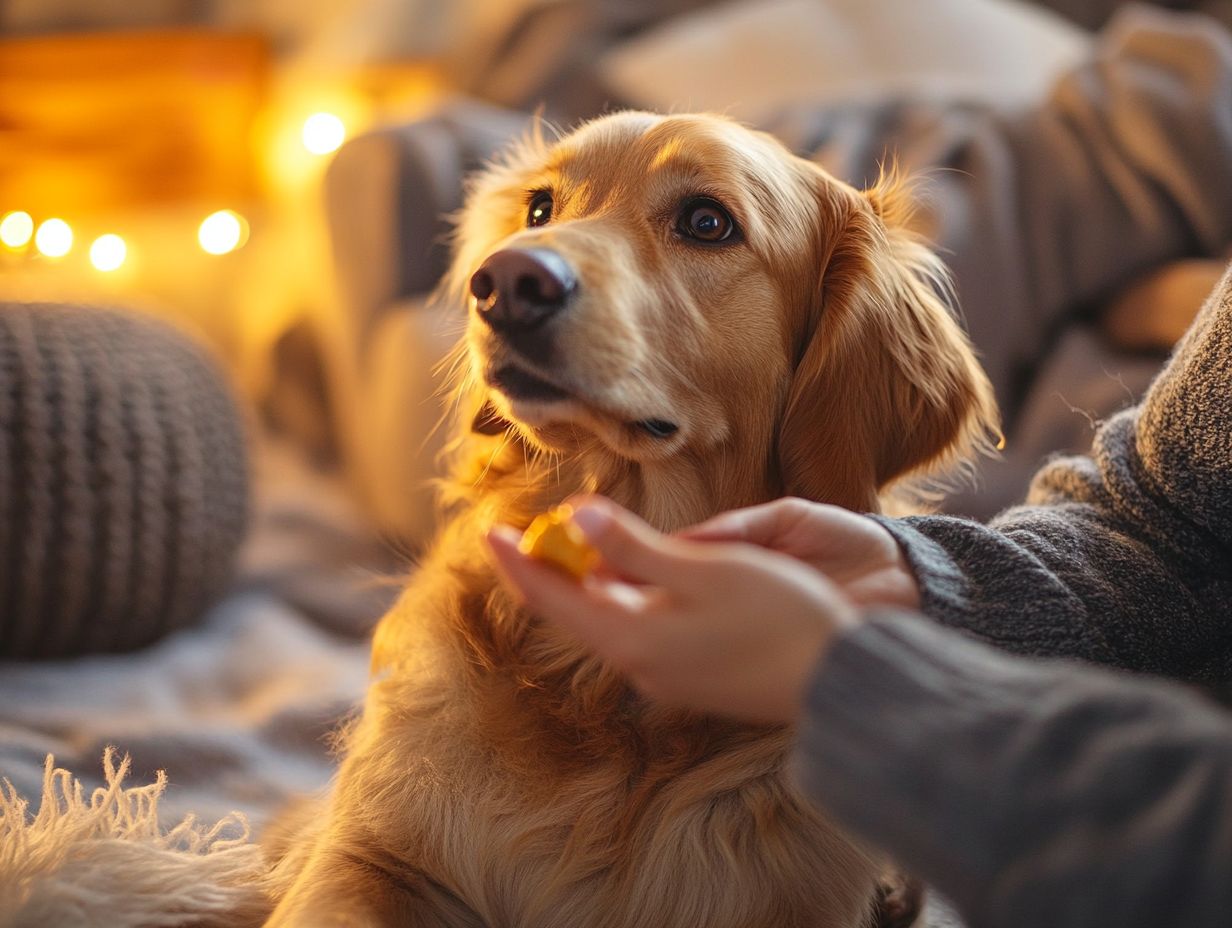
x=886, y=384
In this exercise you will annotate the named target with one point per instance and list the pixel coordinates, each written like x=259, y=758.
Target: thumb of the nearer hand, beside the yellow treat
x=628, y=545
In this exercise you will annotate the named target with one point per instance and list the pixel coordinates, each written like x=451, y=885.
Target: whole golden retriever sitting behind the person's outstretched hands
x=681, y=315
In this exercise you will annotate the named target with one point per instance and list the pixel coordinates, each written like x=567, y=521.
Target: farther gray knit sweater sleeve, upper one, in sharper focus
x=1124, y=558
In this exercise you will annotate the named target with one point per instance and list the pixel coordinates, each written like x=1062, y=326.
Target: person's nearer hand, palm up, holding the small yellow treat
x=730, y=629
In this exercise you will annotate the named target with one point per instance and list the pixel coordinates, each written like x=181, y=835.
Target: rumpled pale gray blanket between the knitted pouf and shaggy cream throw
x=240, y=708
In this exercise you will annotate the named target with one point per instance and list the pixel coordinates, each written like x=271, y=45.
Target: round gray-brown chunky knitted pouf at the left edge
x=124, y=481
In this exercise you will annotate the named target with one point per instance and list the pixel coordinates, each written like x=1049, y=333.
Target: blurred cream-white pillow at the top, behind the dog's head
x=752, y=59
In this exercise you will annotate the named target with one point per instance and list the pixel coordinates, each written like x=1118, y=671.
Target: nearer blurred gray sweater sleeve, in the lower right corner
x=1032, y=793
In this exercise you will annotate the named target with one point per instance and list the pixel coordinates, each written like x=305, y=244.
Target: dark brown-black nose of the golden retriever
x=519, y=289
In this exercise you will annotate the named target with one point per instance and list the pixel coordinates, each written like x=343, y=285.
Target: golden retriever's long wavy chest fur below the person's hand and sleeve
x=532, y=786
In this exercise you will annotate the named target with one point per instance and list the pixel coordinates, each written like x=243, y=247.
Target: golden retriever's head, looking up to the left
x=684, y=298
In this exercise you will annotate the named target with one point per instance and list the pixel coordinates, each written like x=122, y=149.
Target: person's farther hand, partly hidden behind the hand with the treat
x=852, y=550
